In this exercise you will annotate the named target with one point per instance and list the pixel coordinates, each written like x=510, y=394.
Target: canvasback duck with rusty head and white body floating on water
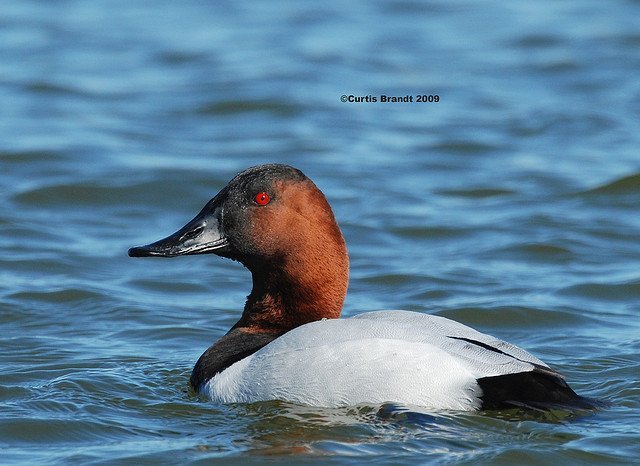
x=290, y=344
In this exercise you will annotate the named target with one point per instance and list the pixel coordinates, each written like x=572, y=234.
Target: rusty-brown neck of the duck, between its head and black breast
x=296, y=289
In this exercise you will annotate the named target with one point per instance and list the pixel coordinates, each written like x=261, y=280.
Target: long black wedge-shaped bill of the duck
x=202, y=235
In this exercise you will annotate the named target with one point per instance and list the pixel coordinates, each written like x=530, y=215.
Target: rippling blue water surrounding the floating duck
x=510, y=205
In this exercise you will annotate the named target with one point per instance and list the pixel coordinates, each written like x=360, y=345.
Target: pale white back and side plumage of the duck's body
x=376, y=357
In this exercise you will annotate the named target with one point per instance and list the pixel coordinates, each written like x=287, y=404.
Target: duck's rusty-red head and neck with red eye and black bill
x=276, y=222
